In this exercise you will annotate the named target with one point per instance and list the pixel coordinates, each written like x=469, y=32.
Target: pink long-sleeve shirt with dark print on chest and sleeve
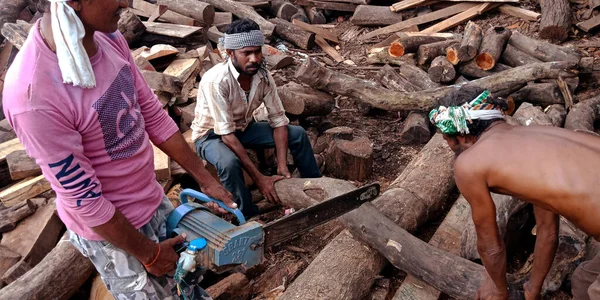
x=93, y=145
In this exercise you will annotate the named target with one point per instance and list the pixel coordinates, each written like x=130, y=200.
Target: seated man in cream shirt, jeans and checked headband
x=222, y=128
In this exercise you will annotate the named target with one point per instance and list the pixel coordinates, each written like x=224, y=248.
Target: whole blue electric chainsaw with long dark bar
x=219, y=245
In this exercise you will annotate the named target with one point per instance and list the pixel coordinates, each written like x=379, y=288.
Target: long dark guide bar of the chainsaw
x=305, y=219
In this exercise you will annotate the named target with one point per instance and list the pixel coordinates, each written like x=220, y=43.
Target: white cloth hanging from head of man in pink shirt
x=68, y=32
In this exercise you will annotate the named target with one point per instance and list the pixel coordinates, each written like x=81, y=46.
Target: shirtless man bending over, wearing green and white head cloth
x=555, y=169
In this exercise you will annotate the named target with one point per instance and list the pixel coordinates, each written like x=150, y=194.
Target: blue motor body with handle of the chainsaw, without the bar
x=227, y=244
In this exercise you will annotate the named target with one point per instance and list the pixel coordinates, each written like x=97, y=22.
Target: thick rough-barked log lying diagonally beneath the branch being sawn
x=415, y=196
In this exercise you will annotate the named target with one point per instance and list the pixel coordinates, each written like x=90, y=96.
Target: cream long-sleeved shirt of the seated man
x=222, y=104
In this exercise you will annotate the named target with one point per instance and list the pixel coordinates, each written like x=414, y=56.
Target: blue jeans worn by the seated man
x=229, y=167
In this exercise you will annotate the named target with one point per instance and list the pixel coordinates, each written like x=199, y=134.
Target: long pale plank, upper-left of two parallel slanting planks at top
x=432, y=16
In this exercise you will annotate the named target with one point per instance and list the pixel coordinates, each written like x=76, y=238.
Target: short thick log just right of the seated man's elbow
x=304, y=101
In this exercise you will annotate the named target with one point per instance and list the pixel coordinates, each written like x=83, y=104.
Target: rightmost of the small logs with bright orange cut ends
x=491, y=47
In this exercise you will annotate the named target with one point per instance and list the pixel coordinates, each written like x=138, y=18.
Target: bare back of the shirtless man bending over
x=553, y=168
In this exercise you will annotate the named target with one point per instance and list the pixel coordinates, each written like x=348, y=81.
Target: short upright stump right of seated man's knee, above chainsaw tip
x=350, y=160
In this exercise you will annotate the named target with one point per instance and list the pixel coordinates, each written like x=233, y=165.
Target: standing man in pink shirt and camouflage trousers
x=83, y=111
